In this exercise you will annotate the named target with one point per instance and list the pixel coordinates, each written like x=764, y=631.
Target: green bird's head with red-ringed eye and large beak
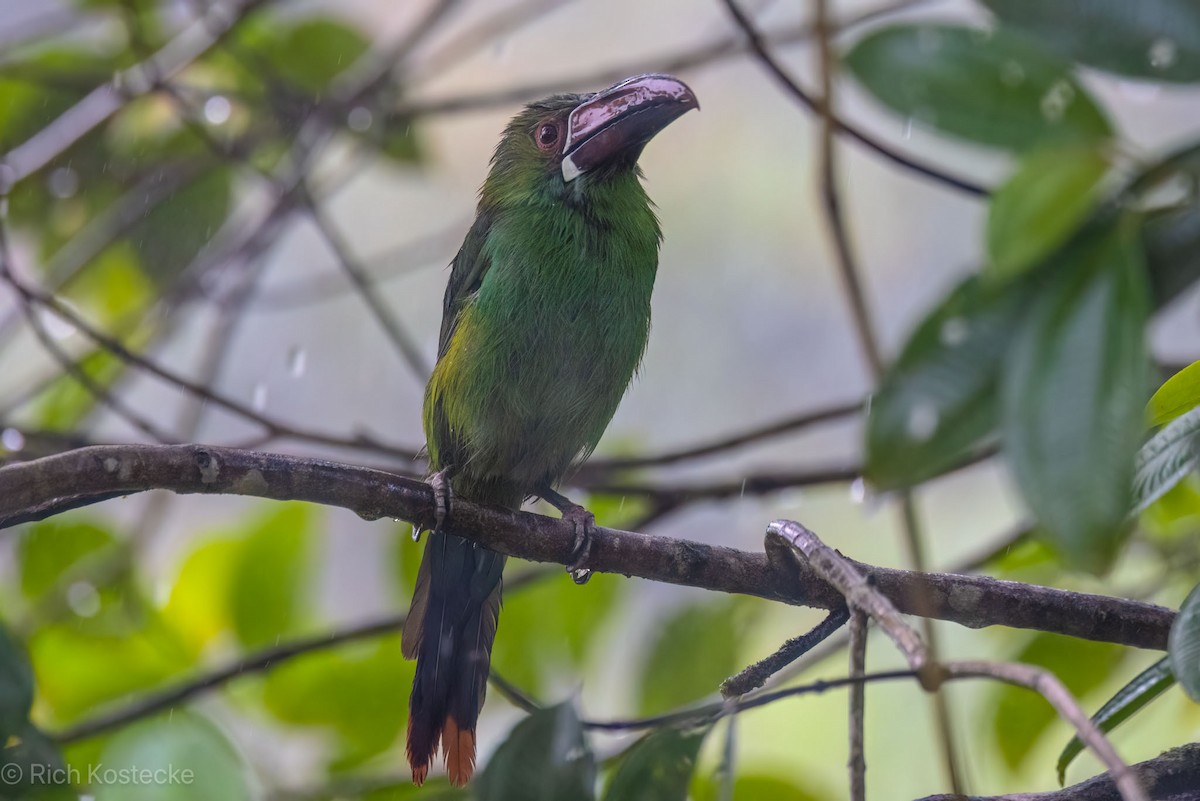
x=562, y=146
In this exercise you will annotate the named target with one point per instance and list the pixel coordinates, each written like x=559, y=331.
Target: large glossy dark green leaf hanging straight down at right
x=1073, y=393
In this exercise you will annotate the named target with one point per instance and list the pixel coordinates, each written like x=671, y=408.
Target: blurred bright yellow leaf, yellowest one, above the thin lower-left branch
x=195, y=607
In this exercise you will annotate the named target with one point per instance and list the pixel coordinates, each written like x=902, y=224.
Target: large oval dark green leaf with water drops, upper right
x=989, y=87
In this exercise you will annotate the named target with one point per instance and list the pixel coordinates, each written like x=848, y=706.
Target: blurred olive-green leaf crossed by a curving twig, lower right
x=1021, y=716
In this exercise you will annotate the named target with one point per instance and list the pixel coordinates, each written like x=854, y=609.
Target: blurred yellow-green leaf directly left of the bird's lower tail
x=356, y=691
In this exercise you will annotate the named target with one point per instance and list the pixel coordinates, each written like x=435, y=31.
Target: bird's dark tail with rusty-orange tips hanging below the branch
x=449, y=631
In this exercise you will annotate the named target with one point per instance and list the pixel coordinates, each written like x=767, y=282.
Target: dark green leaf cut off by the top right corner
x=1145, y=39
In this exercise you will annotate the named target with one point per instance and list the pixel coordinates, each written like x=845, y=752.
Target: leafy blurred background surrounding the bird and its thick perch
x=184, y=225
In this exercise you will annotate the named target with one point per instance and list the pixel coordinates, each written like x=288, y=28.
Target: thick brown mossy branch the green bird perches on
x=34, y=491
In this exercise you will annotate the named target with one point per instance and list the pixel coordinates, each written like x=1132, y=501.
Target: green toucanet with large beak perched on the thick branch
x=545, y=321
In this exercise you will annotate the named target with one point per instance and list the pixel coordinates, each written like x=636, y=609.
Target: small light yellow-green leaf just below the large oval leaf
x=1042, y=206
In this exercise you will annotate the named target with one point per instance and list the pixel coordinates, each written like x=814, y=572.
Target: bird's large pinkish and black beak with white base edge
x=622, y=119
